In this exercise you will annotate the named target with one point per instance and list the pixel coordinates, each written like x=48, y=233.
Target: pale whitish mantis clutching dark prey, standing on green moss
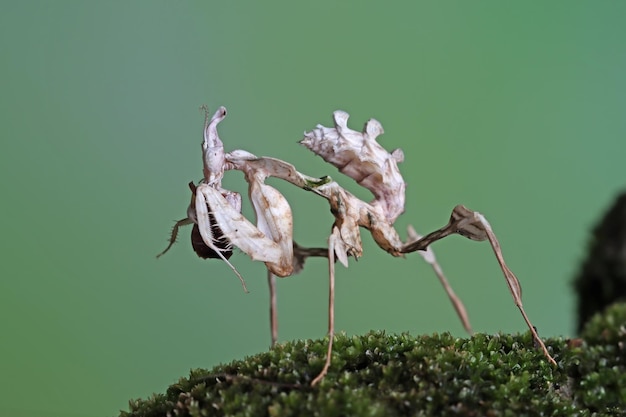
x=219, y=226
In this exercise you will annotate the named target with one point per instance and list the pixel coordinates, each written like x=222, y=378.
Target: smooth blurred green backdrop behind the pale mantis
x=515, y=110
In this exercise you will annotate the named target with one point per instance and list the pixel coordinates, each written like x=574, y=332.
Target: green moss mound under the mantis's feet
x=379, y=374
